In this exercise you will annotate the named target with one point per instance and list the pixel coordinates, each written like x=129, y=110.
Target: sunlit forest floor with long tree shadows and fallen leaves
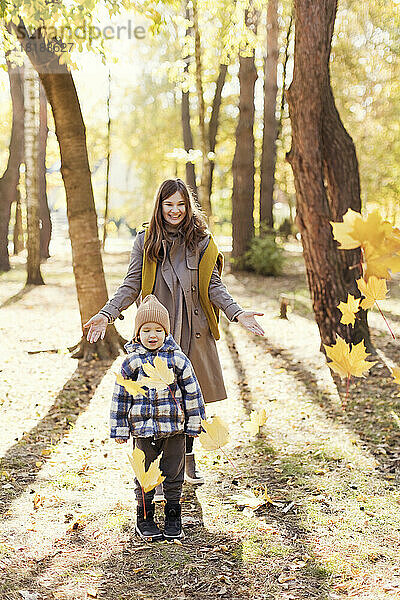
x=66, y=489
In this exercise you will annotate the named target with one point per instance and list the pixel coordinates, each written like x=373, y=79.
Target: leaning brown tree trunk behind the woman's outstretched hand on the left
x=70, y=130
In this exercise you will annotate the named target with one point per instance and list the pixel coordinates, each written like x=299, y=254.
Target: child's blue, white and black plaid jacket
x=157, y=413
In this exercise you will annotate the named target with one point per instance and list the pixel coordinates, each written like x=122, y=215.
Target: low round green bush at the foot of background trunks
x=264, y=257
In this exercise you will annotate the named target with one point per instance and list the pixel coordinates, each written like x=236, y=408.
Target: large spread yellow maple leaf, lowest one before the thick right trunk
x=348, y=362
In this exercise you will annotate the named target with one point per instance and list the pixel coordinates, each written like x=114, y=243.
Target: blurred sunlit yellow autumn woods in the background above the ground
x=203, y=95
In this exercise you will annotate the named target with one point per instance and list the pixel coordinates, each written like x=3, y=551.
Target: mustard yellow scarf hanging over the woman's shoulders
x=211, y=257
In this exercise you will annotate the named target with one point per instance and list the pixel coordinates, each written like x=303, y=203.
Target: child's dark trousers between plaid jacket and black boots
x=172, y=465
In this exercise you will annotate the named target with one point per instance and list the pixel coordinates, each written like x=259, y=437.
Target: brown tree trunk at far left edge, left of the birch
x=9, y=180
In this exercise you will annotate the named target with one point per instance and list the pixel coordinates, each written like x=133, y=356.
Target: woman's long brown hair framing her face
x=193, y=226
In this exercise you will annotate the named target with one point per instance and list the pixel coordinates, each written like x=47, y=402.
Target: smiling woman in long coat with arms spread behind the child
x=176, y=259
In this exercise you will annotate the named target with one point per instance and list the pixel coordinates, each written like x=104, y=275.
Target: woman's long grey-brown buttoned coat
x=176, y=286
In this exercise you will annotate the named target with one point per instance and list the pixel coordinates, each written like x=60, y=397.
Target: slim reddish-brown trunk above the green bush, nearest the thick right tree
x=270, y=129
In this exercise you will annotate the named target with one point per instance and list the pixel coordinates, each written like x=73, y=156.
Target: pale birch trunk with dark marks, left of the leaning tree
x=31, y=148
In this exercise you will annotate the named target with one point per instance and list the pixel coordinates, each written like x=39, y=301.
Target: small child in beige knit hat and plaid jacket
x=158, y=421
